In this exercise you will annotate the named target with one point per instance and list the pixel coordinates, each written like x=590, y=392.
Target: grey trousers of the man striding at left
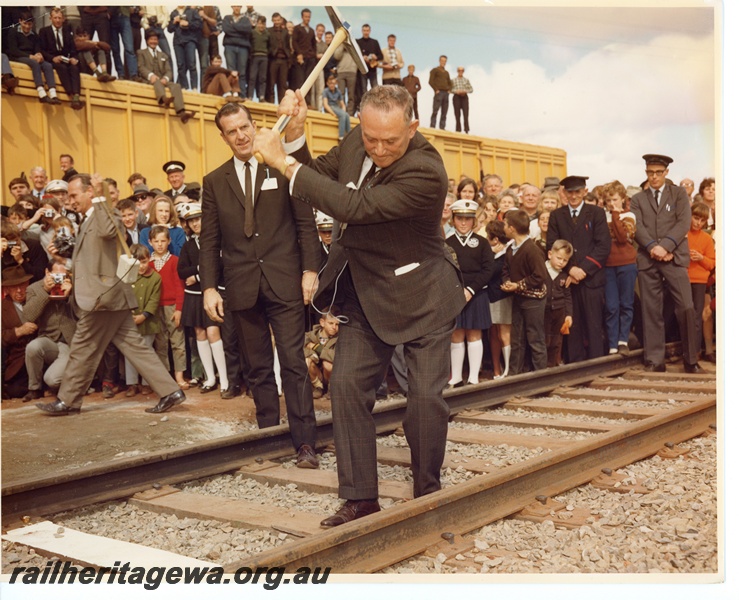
x=95, y=330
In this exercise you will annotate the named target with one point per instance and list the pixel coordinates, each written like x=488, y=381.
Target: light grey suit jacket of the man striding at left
x=94, y=263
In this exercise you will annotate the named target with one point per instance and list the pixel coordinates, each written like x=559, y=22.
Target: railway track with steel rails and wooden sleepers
x=622, y=415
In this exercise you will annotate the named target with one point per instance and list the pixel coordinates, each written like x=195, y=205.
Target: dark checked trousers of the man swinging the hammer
x=362, y=359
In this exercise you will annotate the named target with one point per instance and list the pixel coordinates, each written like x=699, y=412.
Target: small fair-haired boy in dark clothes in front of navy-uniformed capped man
x=558, y=314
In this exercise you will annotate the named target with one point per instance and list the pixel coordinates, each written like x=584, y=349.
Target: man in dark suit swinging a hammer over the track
x=396, y=278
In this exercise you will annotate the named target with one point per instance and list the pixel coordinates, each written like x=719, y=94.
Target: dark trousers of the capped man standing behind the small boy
x=586, y=334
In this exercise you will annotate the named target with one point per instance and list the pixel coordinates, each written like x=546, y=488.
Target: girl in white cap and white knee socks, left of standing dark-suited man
x=207, y=332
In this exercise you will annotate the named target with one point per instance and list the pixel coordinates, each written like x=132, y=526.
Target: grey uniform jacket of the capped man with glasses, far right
x=667, y=227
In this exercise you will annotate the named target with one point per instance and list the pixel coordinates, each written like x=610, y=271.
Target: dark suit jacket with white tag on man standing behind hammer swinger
x=284, y=244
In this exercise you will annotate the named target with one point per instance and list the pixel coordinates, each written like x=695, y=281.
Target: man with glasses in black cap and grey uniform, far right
x=662, y=214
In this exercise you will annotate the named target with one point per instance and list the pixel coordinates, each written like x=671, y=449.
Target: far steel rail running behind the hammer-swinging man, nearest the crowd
x=122, y=478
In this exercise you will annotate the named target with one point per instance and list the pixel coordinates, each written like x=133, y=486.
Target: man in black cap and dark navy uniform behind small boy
x=585, y=227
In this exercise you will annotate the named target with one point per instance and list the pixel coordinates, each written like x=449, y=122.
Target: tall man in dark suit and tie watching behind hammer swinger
x=271, y=256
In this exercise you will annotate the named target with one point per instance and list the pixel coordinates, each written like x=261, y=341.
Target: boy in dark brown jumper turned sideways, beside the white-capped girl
x=525, y=275
